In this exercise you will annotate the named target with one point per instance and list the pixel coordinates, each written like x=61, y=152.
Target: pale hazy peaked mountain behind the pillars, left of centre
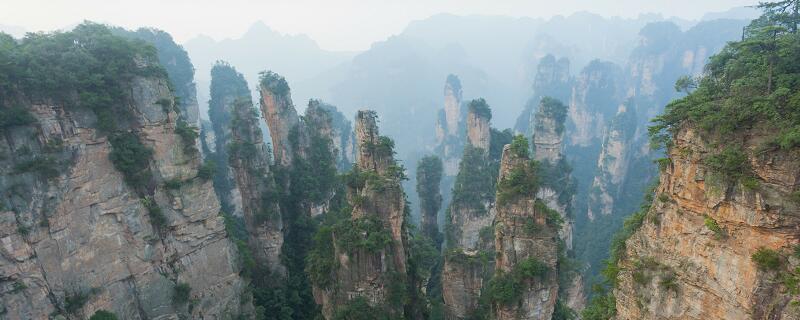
x=296, y=57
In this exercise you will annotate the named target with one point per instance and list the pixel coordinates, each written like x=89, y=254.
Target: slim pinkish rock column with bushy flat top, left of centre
x=281, y=116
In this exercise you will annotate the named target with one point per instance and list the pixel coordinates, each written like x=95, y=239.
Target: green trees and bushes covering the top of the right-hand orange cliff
x=750, y=82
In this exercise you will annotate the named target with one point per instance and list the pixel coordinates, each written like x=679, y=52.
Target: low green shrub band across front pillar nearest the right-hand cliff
x=507, y=287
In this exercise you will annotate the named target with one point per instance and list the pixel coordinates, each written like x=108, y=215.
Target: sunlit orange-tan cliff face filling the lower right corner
x=691, y=259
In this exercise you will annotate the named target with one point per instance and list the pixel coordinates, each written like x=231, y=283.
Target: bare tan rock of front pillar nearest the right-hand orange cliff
x=523, y=236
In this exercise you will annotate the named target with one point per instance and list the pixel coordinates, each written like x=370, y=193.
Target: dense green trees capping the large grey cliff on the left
x=87, y=67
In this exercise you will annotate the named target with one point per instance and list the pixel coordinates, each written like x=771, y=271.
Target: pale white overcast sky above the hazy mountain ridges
x=334, y=24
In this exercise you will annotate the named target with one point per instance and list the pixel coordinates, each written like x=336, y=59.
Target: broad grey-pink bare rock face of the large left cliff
x=84, y=234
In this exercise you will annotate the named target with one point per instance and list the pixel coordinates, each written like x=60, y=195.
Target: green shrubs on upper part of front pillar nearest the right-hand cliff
x=520, y=183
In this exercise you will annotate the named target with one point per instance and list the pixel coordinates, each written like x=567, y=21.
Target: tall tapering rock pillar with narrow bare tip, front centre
x=365, y=272
